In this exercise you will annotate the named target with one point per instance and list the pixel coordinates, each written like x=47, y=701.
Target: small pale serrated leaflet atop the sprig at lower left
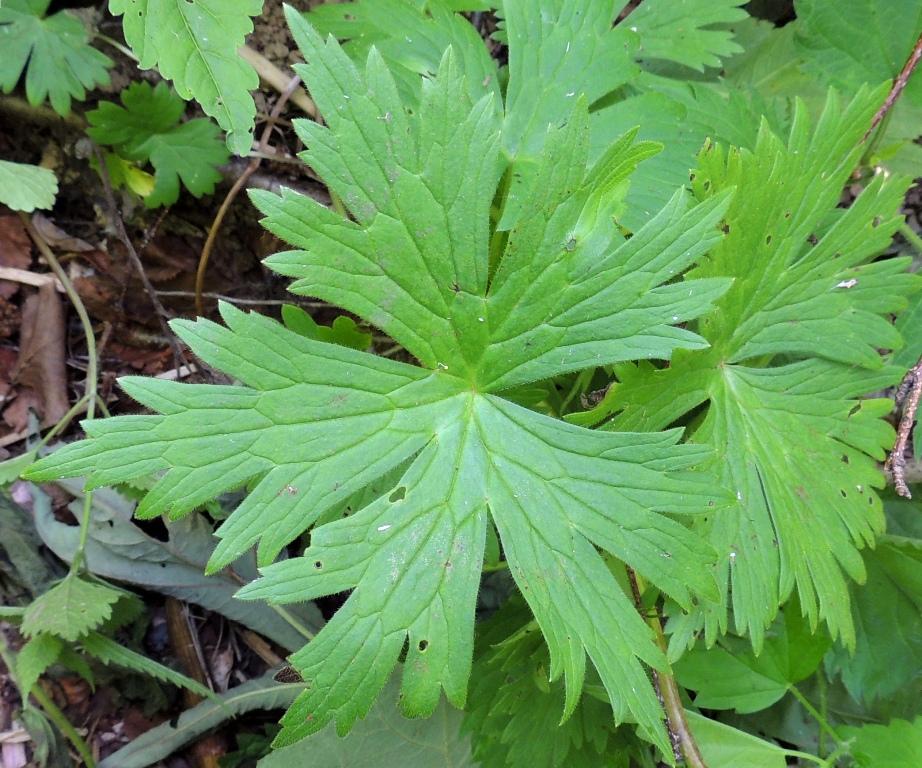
x=70, y=609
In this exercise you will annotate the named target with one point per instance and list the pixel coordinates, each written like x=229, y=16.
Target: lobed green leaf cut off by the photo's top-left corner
x=60, y=64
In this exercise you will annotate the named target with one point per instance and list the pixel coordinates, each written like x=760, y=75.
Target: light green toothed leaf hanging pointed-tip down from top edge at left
x=193, y=43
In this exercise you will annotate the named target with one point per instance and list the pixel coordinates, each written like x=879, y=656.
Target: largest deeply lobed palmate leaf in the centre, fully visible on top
x=315, y=422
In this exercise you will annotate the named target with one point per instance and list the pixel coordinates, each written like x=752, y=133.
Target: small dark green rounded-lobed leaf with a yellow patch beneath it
x=147, y=129
